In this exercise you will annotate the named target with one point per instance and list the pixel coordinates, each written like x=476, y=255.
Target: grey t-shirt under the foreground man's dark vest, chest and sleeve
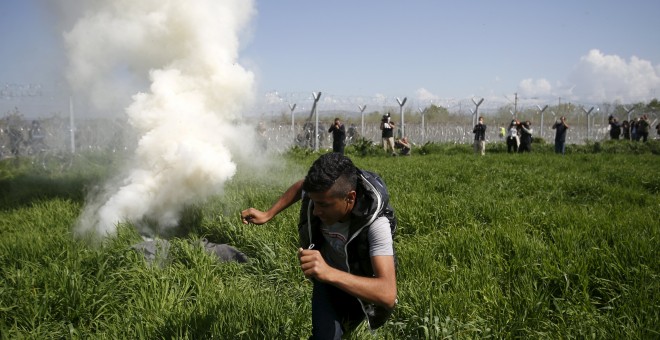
x=336, y=236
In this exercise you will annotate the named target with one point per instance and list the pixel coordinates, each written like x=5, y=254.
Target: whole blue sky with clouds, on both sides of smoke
x=585, y=51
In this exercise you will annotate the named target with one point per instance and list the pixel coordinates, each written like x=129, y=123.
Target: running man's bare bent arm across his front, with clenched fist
x=380, y=289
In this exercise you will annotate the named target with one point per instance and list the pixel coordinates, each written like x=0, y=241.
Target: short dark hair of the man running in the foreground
x=328, y=170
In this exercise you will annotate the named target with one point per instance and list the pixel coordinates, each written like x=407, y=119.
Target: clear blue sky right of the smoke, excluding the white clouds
x=449, y=48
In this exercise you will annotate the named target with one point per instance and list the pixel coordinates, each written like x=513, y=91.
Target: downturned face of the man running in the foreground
x=330, y=207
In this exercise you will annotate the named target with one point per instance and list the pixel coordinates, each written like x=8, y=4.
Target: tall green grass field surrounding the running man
x=501, y=246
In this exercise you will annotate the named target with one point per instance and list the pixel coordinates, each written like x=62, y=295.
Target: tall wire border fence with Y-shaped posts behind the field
x=284, y=128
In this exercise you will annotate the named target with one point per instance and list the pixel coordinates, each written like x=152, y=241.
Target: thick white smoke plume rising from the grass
x=186, y=51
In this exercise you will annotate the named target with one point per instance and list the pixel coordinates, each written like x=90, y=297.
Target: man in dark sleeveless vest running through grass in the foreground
x=346, y=227
